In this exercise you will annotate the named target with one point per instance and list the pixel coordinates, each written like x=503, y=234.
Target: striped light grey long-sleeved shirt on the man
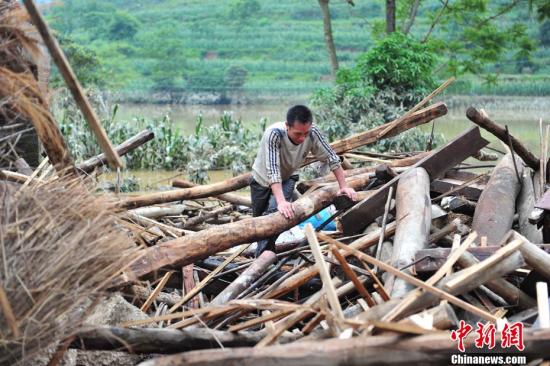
x=278, y=157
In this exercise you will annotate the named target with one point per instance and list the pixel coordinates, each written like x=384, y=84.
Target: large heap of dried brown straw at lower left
x=60, y=246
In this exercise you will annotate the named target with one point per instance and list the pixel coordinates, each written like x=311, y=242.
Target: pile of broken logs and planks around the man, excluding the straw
x=436, y=238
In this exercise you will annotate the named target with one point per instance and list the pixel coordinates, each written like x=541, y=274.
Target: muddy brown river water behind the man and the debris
x=521, y=114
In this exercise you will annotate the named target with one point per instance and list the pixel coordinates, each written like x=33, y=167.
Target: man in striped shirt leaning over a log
x=283, y=149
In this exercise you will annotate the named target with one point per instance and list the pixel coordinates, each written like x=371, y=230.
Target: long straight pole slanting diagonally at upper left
x=73, y=84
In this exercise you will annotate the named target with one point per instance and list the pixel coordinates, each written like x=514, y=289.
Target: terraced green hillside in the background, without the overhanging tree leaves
x=251, y=48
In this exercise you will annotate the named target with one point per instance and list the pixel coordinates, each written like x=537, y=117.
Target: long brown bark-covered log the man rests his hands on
x=190, y=248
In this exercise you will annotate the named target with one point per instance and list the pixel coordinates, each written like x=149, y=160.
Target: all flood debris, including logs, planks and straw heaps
x=434, y=243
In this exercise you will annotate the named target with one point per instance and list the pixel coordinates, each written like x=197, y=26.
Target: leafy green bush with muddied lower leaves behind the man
x=384, y=83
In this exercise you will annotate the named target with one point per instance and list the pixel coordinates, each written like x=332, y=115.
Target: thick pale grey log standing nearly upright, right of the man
x=413, y=224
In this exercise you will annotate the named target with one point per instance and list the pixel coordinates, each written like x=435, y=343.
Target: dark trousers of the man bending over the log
x=264, y=203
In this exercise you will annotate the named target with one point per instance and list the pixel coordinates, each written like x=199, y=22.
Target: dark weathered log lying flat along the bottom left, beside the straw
x=152, y=340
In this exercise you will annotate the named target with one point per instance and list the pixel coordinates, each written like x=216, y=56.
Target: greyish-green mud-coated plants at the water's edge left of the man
x=226, y=145
